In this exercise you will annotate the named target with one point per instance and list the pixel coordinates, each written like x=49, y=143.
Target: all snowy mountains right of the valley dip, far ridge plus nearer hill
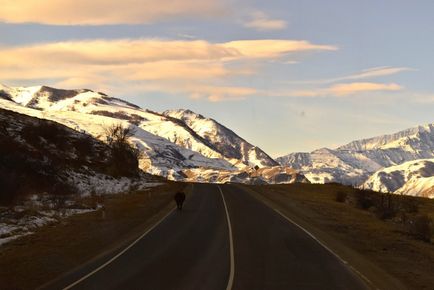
x=372, y=163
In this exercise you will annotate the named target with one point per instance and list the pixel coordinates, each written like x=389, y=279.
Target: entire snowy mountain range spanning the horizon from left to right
x=183, y=145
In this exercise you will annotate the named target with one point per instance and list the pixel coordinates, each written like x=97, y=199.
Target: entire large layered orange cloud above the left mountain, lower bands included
x=190, y=67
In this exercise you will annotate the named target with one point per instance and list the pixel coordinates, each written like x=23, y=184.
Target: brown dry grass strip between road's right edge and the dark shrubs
x=382, y=250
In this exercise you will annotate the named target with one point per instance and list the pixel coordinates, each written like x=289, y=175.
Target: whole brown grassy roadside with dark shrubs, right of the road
x=389, y=232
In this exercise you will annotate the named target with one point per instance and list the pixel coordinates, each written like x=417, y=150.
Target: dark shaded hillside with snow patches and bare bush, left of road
x=49, y=172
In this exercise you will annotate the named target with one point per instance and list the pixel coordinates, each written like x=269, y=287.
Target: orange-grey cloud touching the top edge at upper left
x=102, y=12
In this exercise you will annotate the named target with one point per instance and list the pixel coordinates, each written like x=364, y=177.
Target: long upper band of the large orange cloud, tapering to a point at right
x=124, y=51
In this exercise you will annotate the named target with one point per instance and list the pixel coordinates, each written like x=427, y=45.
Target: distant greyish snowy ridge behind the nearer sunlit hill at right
x=355, y=162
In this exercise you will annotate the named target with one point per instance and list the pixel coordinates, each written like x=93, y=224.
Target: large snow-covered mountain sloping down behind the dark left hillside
x=171, y=142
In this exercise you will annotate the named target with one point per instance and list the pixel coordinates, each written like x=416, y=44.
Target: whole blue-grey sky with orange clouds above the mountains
x=286, y=75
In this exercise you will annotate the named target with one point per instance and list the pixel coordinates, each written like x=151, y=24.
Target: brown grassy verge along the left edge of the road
x=34, y=260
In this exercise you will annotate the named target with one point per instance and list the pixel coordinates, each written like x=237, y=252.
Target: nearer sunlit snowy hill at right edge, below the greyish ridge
x=410, y=178
